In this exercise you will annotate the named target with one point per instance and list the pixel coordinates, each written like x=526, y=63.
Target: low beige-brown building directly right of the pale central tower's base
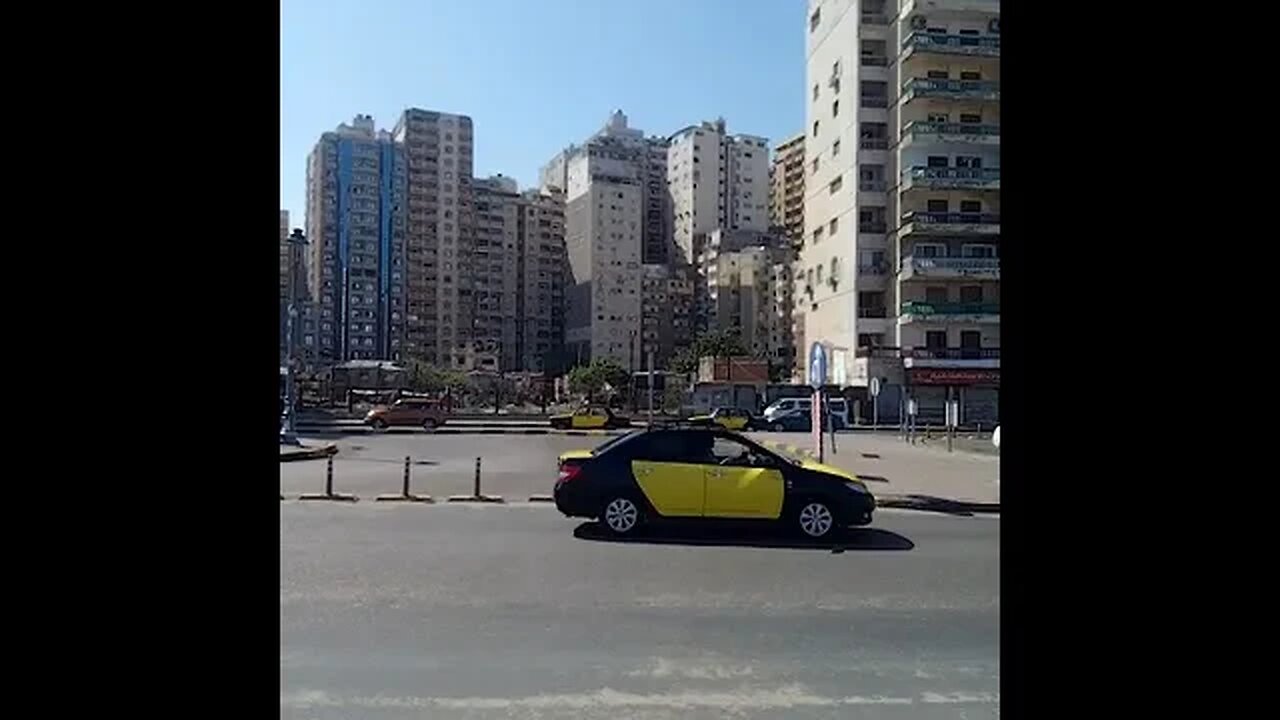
x=668, y=312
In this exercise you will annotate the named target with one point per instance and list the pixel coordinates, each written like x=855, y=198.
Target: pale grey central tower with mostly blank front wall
x=606, y=202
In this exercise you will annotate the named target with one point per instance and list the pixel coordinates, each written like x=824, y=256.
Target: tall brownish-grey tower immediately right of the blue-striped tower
x=441, y=304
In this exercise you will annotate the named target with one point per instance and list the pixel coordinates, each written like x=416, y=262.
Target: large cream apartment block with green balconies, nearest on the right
x=902, y=271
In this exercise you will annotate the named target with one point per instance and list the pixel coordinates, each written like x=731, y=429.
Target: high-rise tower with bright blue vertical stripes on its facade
x=356, y=189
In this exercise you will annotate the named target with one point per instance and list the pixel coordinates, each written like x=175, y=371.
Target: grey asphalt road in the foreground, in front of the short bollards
x=516, y=612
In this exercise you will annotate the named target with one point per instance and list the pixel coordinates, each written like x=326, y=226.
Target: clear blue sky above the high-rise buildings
x=537, y=75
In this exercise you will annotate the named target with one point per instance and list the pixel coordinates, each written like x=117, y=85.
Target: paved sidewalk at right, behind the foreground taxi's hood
x=894, y=468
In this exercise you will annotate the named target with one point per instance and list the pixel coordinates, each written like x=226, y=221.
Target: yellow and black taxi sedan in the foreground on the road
x=706, y=473
